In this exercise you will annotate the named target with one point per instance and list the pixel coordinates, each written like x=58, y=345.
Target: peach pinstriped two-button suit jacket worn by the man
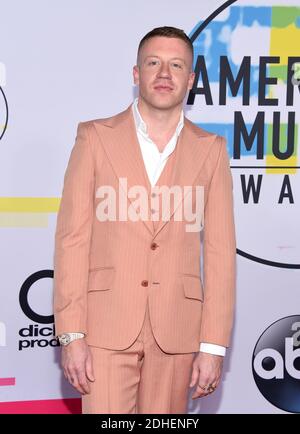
x=104, y=271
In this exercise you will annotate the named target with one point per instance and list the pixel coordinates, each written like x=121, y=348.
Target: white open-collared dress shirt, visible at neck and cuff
x=154, y=163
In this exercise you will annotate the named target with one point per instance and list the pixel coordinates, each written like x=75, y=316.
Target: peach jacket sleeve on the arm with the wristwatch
x=72, y=237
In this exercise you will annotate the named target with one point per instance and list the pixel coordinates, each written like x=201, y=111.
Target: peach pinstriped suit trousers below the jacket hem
x=140, y=379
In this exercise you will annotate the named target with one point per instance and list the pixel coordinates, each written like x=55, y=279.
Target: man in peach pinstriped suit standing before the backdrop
x=136, y=324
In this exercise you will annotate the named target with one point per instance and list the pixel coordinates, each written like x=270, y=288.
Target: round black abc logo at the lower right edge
x=276, y=364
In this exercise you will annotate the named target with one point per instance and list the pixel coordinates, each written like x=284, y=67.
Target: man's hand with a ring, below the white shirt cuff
x=207, y=369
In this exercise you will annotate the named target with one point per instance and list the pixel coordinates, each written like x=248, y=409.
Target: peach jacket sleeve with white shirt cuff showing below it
x=219, y=253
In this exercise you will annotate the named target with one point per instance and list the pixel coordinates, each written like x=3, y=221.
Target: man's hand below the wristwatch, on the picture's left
x=77, y=365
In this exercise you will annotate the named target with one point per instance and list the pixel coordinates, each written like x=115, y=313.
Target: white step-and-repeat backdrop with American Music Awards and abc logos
x=66, y=62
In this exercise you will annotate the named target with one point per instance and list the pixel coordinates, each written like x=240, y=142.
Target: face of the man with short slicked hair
x=164, y=72
